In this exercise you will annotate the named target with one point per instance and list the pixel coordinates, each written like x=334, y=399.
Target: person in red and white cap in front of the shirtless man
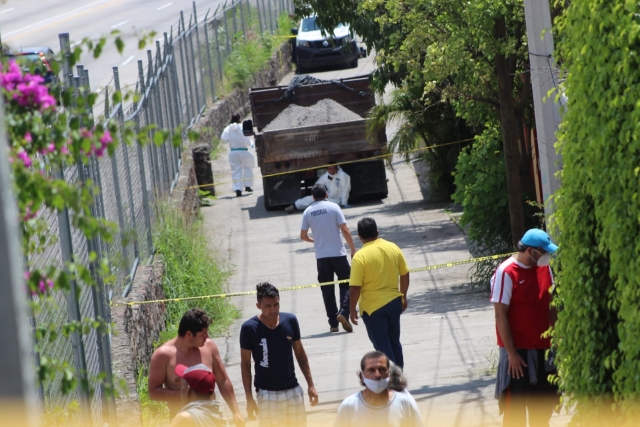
x=197, y=393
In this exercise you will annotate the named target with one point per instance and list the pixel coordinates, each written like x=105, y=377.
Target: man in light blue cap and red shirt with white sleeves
x=521, y=295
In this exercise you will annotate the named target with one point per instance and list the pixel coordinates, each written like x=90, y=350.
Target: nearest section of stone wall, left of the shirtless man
x=136, y=329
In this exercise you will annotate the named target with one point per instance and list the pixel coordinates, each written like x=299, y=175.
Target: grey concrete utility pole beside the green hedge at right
x=544, y=80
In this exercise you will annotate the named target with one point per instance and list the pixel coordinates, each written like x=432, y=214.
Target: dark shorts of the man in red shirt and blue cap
x=523, y=398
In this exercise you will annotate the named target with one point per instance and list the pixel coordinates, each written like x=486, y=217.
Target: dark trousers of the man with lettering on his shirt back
x=327, y=267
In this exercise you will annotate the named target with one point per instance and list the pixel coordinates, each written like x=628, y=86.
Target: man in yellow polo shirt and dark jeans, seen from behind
x=376, y=270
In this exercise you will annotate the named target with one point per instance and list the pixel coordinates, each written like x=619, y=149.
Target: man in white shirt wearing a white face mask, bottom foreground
x=384, y=401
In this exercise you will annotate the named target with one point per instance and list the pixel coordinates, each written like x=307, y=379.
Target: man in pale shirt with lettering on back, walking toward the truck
x=327, y=222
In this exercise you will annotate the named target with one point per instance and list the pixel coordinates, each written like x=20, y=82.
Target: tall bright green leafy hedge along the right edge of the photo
x=598, y=211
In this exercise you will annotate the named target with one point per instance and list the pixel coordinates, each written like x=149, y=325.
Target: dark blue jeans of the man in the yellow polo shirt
x=383, y=328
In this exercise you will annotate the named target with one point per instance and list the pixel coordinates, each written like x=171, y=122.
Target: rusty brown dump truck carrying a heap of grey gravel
x=291, y=159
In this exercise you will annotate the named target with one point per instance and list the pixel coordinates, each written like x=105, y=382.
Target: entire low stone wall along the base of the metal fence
x=138, y=327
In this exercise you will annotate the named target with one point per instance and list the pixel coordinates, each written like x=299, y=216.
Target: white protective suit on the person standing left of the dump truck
x=240, y=159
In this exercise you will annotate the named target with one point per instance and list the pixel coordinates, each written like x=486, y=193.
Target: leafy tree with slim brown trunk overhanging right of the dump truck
x=471, y=54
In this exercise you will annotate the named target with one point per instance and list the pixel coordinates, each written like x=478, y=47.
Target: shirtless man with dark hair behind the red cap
x=191, y=347
